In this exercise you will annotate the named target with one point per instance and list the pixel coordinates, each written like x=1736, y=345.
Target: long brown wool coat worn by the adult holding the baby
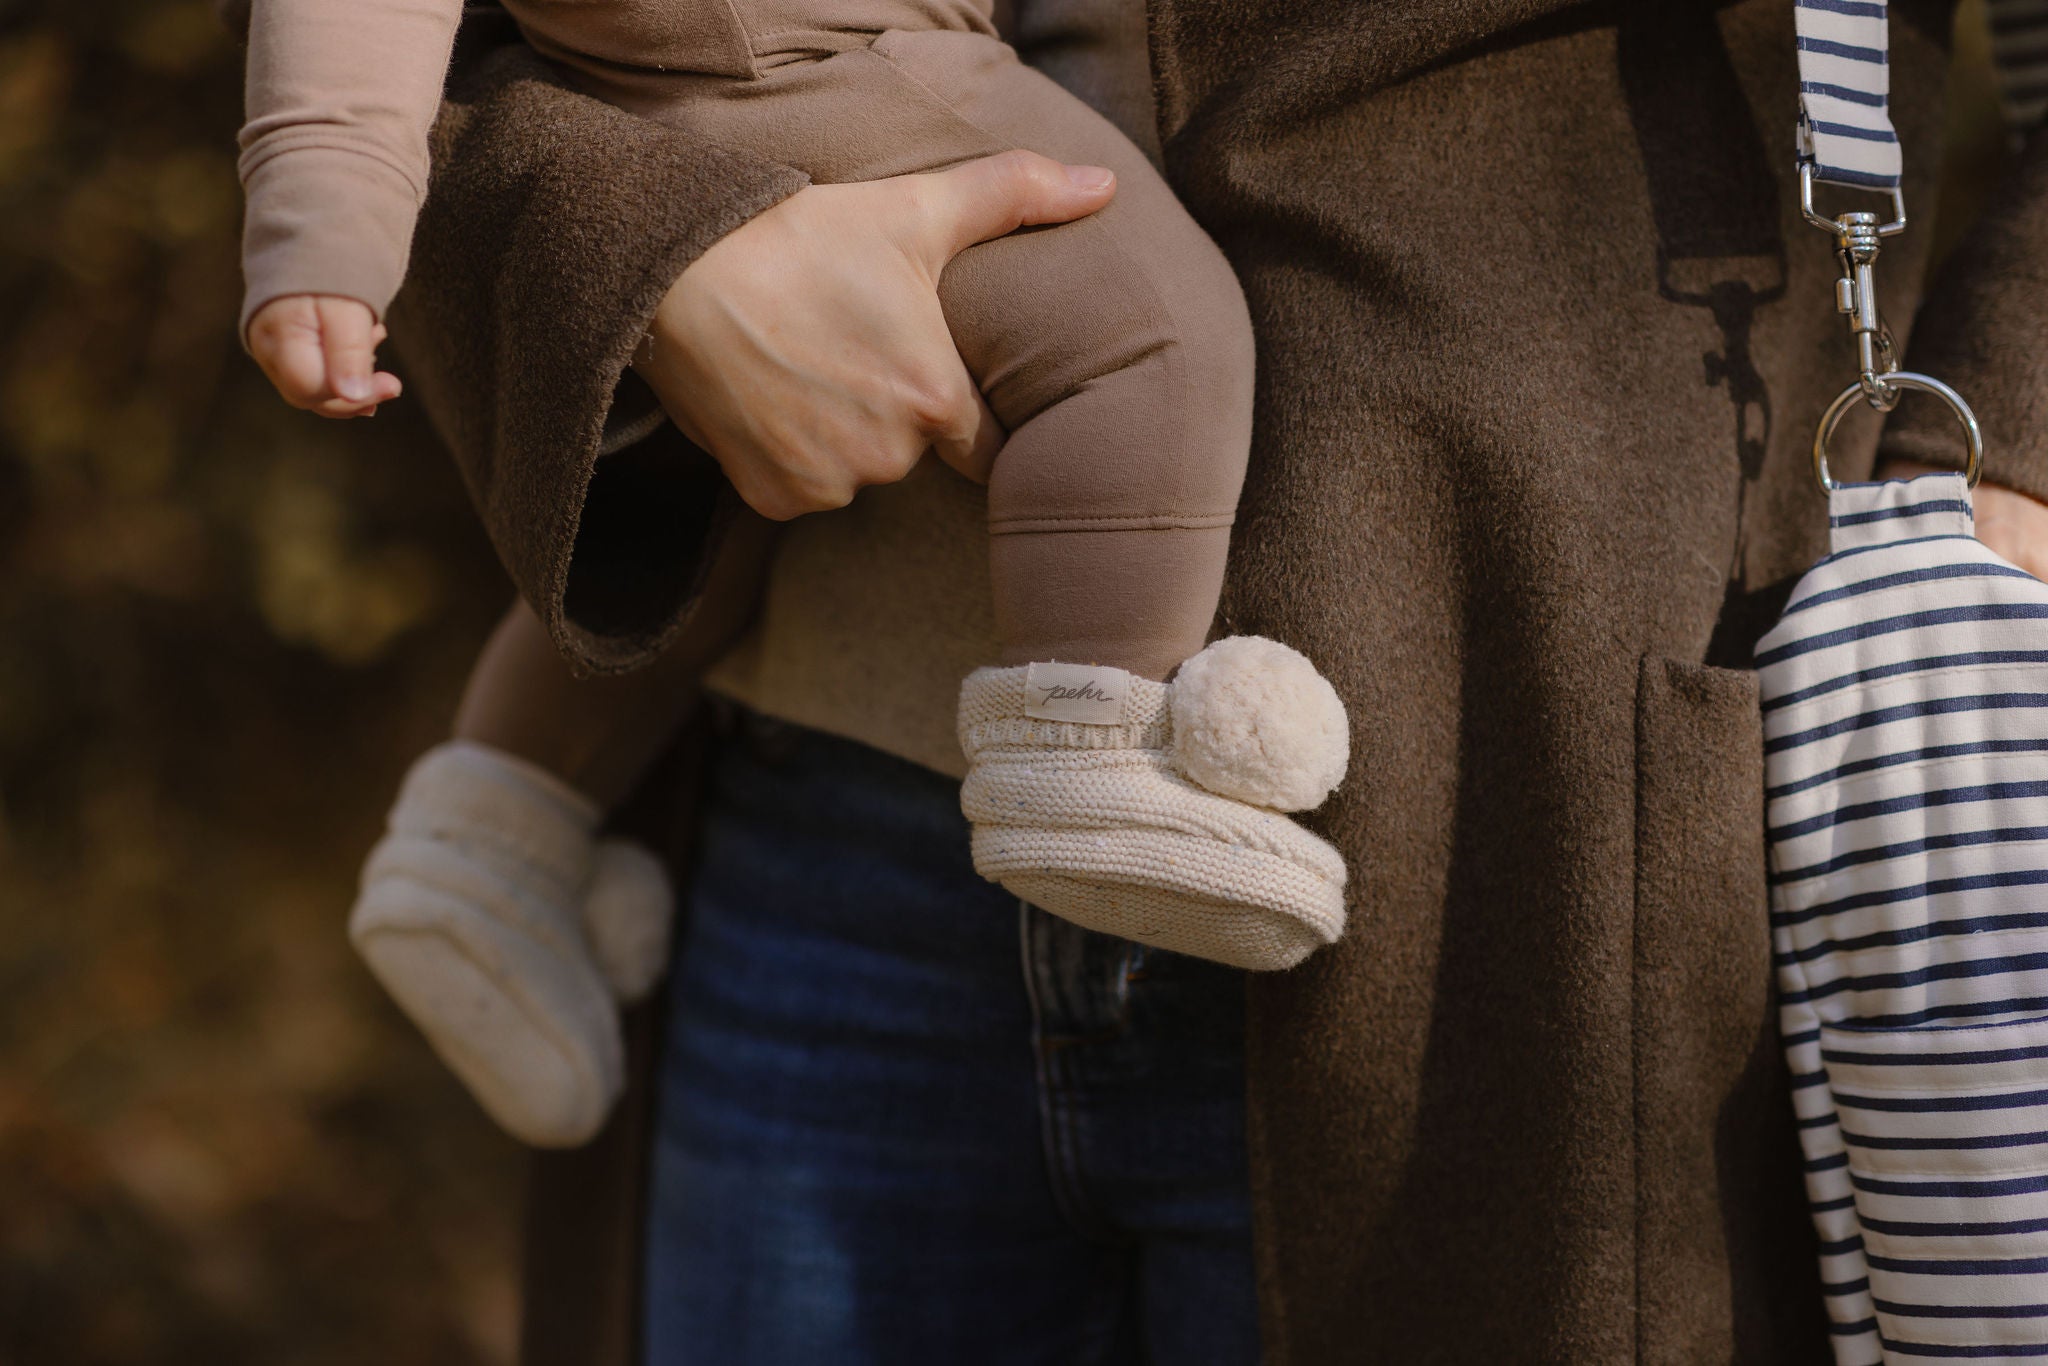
x=1541, y=343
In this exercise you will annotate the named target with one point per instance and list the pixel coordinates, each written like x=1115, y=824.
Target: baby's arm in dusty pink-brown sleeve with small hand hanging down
x=341, y=97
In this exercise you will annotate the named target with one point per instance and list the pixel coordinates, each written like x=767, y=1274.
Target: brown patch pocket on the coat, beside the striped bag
x=1725, y=1263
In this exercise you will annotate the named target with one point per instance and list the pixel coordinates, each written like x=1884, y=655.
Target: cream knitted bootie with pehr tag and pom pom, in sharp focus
x=1152, y=812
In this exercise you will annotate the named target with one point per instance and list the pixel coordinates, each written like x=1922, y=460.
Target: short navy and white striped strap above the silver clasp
x=1846, y=81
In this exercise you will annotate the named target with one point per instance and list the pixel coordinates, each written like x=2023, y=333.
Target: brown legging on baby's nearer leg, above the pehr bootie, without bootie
x=1117, y=353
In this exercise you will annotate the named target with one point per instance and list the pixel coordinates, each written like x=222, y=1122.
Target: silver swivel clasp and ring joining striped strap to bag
x=1881, y=384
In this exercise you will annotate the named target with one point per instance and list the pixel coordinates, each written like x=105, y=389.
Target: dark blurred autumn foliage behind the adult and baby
x=224, y=632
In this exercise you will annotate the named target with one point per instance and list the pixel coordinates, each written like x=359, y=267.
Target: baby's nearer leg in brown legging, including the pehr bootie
x=1117, y=353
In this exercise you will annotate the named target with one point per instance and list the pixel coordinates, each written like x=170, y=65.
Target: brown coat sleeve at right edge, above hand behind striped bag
x=1986, y=333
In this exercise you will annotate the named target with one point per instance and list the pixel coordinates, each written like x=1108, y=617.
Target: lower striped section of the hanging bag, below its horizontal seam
x=1947, y=1140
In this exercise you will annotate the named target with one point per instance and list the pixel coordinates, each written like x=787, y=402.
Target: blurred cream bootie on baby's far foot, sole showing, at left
x=509, y=937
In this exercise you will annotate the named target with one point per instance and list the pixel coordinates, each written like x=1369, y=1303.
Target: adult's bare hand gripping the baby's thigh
x=806, y=351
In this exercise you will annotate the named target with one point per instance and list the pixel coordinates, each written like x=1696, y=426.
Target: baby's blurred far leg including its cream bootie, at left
x=490, y=910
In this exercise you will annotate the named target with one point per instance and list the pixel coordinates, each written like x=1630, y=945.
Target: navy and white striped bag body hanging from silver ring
x=1906, y=703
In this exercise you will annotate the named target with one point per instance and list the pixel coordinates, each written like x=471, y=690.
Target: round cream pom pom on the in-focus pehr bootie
x=1252, y=720
